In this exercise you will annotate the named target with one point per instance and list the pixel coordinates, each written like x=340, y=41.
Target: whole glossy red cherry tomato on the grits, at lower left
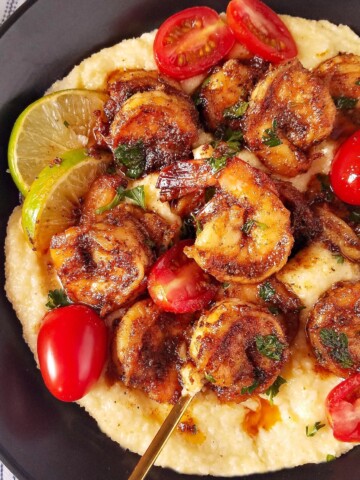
x=72, y=348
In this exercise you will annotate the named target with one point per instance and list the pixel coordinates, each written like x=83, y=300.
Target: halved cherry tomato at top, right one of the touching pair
x=260, y=29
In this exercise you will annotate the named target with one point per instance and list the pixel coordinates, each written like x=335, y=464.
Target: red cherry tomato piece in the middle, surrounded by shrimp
x=177, y=283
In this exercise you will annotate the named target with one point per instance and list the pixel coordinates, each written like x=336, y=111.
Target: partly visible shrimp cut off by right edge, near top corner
x=341, y=74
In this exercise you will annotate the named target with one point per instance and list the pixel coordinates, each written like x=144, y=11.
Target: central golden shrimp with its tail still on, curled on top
x=244, y=230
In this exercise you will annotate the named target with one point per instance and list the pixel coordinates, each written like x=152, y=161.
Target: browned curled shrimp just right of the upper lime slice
x=161, y=126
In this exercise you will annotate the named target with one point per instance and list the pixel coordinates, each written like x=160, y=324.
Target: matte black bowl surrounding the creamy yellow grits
x=41, y=438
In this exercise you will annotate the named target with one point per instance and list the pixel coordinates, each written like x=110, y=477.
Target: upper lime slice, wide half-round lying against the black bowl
x=47, y=128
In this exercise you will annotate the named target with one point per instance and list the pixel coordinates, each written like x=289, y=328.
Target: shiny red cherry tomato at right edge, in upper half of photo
x=345, y=170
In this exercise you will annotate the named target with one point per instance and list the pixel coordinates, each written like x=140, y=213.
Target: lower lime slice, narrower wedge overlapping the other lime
x=54, y=197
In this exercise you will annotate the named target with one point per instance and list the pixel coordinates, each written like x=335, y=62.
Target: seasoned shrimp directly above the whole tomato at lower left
x=104, y=264
